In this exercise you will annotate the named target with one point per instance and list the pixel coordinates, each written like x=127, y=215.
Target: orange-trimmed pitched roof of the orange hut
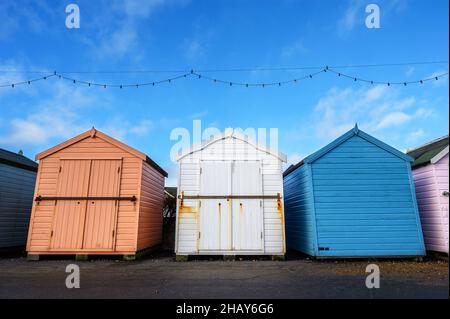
x=94, y=132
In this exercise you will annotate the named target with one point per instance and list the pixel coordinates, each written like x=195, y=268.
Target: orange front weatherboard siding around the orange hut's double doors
x=46, y=185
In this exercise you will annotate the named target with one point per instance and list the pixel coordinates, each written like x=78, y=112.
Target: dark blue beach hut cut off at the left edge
x=17, y=177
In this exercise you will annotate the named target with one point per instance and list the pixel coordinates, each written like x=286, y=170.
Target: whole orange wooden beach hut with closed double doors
x=95, y=195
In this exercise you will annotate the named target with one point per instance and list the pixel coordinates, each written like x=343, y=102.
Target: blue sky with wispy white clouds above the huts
x=204, y=35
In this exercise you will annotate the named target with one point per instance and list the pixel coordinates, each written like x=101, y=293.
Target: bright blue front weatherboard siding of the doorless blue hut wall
x=364, y=203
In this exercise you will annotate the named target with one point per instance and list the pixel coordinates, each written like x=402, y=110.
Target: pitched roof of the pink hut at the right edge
x=430, y=152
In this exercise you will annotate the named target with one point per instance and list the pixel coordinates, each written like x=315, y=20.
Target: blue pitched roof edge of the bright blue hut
x=353, y=132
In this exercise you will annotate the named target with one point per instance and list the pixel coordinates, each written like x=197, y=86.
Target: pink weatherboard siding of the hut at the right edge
x=430, y=183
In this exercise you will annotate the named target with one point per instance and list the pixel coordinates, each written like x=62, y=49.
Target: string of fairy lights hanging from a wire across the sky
x=201, y=75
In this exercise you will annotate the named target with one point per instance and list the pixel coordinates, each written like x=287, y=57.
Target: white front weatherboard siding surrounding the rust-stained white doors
x=229, y=150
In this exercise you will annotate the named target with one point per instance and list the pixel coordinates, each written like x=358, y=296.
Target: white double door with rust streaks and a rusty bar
x=231, y=215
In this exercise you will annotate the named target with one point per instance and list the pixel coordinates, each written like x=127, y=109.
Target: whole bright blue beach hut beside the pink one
x=353, y=198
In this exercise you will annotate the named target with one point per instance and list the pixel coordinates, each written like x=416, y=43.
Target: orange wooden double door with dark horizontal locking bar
x=85, y=209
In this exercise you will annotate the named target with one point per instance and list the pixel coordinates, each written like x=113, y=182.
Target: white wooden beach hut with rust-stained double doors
x=229, y=203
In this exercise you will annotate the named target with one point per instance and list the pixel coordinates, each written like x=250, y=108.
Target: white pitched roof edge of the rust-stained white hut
x=231, y=133
